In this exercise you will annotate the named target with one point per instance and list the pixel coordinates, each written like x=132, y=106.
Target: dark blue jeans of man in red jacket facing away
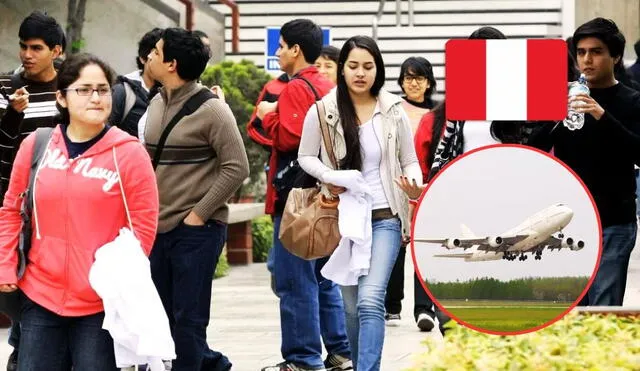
x=310, y=308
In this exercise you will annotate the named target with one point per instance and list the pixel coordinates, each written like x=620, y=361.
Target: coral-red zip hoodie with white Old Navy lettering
x=78, y=208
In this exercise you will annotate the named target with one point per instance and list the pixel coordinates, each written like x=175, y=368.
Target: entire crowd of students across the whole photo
x=96, y=178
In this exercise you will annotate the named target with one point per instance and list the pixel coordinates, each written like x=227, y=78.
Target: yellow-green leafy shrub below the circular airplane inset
x=576, y=342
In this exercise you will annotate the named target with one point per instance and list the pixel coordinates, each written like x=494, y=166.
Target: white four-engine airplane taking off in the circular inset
x=531, y=236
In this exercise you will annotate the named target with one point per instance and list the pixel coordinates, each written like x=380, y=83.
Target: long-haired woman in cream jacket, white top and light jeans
x=371, y=133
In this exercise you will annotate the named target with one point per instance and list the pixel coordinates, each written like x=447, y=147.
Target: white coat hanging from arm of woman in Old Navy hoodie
x=134, y=315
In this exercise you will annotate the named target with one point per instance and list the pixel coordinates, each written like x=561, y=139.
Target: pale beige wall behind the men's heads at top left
x=112, y=28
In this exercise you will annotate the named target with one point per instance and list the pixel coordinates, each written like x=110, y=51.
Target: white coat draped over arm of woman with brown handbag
x=352, y=258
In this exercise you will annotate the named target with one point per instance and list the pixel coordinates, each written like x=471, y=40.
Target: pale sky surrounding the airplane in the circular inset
x=492, y=191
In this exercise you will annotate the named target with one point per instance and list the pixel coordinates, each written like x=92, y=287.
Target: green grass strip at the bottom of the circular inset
x=504, y=315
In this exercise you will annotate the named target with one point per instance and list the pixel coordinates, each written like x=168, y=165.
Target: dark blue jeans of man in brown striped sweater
x=183, y=261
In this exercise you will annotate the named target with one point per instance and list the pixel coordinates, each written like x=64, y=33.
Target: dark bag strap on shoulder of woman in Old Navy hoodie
x=43, y=135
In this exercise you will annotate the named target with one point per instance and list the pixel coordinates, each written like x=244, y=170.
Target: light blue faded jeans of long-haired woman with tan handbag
x=364, y=303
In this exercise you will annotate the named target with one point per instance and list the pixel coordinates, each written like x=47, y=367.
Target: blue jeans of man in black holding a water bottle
x=611, y=279
